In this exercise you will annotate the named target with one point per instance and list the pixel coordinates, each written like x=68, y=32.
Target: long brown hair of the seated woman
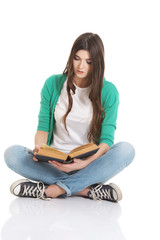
x=94, y=45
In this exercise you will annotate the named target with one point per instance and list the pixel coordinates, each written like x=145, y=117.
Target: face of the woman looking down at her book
x=82, y=64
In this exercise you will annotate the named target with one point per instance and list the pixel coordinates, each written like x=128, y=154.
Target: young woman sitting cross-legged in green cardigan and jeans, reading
x=77, y=107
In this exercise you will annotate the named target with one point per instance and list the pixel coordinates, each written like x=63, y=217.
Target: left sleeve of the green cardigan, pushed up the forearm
x=45, y=112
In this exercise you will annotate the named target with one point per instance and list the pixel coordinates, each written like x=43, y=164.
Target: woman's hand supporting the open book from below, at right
x=68, y=167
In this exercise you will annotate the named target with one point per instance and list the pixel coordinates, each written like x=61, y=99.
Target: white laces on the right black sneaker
x=98, y=193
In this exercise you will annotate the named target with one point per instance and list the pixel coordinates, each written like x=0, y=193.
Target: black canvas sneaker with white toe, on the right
x=110, y=192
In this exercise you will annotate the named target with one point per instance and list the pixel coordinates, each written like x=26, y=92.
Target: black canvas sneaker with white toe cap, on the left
x=26, y=188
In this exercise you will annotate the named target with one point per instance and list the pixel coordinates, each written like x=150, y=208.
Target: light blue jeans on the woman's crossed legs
x=120, y=155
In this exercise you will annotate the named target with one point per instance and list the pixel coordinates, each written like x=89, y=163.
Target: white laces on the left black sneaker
x=36, y=192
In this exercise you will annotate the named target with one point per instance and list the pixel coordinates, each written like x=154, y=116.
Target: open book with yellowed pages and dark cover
x=47, y=153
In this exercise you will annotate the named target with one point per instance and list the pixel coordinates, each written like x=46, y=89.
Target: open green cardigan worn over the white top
x=49, y=97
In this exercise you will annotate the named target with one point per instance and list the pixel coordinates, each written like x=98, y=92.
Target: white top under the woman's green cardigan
x=78, y=120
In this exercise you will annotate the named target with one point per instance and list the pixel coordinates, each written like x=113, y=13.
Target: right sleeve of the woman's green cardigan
x=110, y=106
